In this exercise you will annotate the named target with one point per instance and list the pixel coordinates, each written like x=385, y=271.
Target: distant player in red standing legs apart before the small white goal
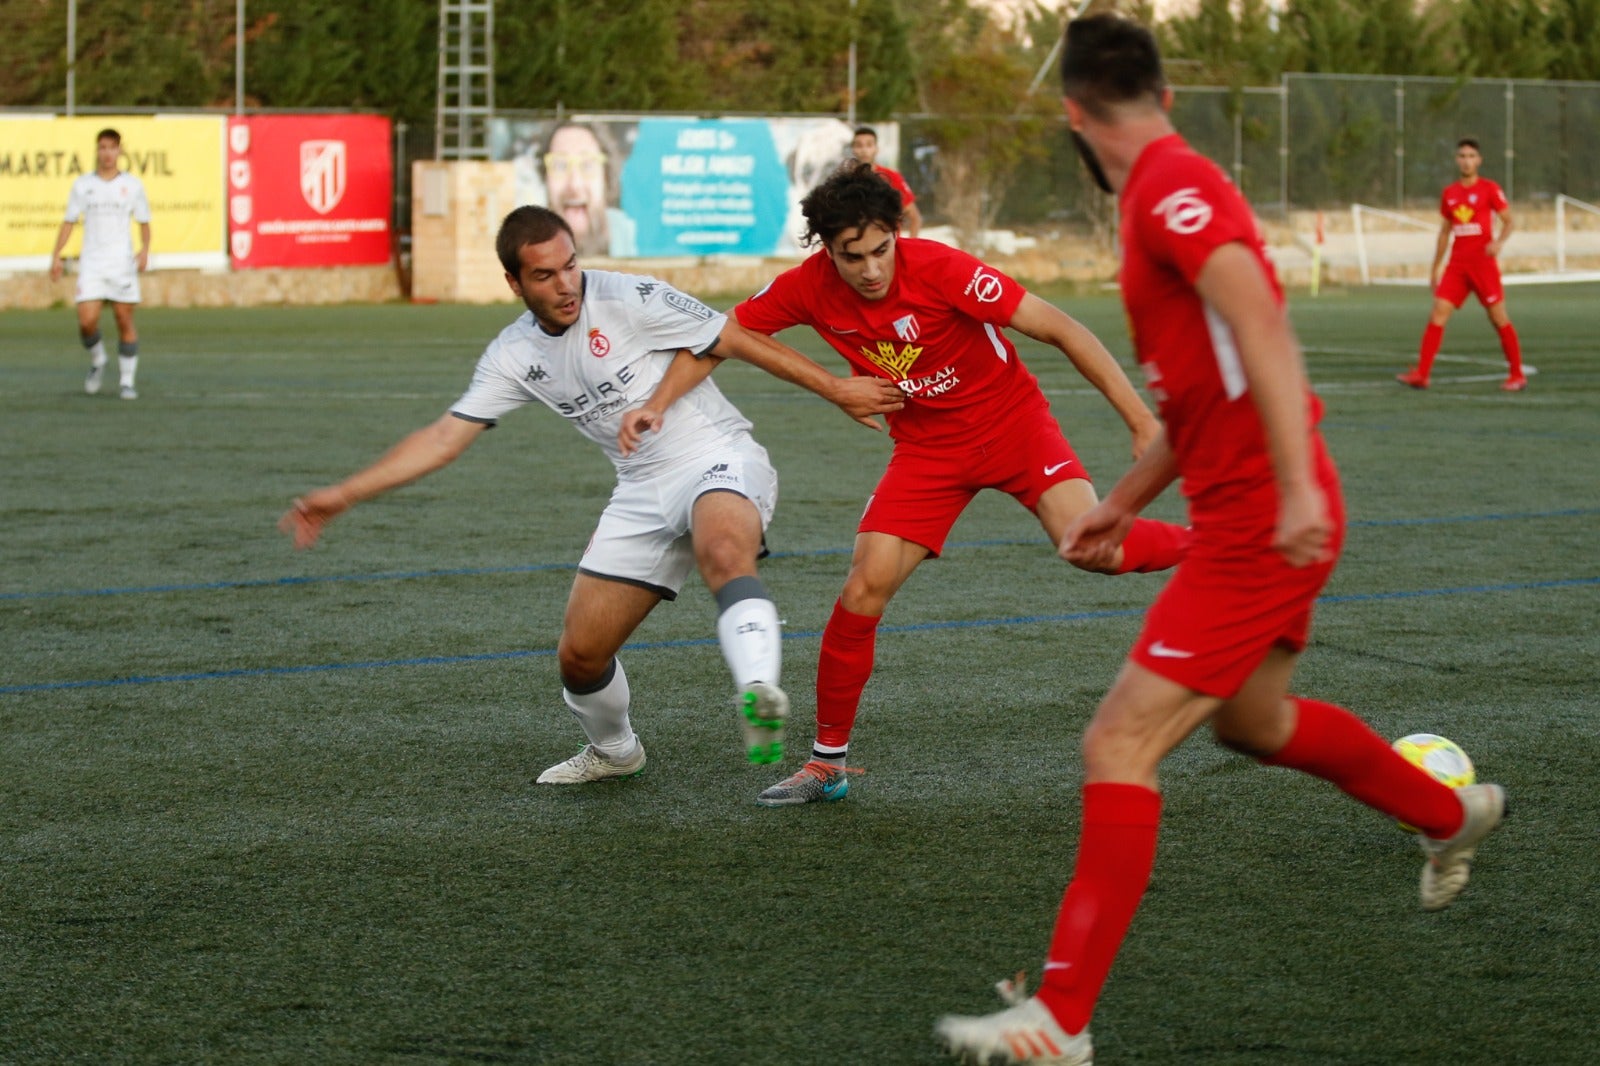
x=1468, y=233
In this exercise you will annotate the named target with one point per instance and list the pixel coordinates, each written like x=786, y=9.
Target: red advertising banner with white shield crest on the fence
x=308, y=191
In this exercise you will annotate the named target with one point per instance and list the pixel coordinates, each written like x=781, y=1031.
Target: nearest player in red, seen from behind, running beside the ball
x=1222, y=641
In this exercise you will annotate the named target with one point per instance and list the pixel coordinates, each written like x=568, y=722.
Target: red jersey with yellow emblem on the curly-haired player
x=937, y=332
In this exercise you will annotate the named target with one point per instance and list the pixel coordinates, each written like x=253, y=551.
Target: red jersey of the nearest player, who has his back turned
x=1177, y=209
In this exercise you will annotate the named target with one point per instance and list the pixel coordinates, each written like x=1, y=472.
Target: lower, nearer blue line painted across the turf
x=697, y=643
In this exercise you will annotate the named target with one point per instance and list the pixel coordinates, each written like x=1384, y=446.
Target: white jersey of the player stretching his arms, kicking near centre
x=610, y=361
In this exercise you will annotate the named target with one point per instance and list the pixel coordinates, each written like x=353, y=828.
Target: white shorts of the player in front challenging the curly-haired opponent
x=644, y=534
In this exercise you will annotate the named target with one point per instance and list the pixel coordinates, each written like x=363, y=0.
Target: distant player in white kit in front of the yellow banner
x=108, y=265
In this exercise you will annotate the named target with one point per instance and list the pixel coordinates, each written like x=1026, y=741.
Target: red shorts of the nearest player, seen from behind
x=1233, y=598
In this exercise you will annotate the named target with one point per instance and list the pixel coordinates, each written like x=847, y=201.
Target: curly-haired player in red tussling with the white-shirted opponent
x=930, y=318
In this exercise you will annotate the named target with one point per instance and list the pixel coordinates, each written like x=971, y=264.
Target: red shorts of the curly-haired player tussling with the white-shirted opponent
x=922, y=492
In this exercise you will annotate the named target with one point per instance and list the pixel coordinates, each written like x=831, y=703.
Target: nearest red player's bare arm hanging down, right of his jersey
x=1234, y=283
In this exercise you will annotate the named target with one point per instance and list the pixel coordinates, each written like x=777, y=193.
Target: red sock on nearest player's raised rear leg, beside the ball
x=1335, y=745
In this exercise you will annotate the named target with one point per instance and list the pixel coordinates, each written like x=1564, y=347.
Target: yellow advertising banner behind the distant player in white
x=178, y=159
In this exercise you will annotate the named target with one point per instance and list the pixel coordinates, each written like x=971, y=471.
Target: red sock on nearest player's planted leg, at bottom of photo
x=1116, y=856
